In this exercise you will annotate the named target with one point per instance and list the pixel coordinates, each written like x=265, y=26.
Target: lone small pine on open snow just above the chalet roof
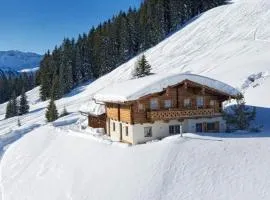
x=142, y=68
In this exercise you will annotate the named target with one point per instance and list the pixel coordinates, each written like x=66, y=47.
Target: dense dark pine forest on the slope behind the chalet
x=110, y=44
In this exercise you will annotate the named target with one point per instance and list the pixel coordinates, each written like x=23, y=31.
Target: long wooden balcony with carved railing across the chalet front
x=180, y=114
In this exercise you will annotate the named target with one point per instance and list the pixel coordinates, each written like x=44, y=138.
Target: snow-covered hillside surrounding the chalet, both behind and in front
x=230, y=43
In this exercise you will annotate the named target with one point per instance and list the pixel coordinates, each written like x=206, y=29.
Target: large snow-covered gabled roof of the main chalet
x=136, y=88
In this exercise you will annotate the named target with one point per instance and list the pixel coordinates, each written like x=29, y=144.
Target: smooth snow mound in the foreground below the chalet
x=192, y=167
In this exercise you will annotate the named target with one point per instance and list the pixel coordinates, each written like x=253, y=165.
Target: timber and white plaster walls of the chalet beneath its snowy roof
x=183, y=107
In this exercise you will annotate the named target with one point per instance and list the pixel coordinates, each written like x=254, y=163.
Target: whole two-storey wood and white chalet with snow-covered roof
x=153, y=107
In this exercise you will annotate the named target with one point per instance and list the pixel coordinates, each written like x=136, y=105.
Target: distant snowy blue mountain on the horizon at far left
x=18, y=61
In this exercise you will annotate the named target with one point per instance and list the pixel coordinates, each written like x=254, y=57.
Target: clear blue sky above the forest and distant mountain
x=39, y=25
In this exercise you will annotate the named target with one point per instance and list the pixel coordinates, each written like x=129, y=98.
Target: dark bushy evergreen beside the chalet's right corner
x=240, y=116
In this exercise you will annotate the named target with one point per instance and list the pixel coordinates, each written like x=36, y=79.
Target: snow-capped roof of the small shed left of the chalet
x=92, y=108
